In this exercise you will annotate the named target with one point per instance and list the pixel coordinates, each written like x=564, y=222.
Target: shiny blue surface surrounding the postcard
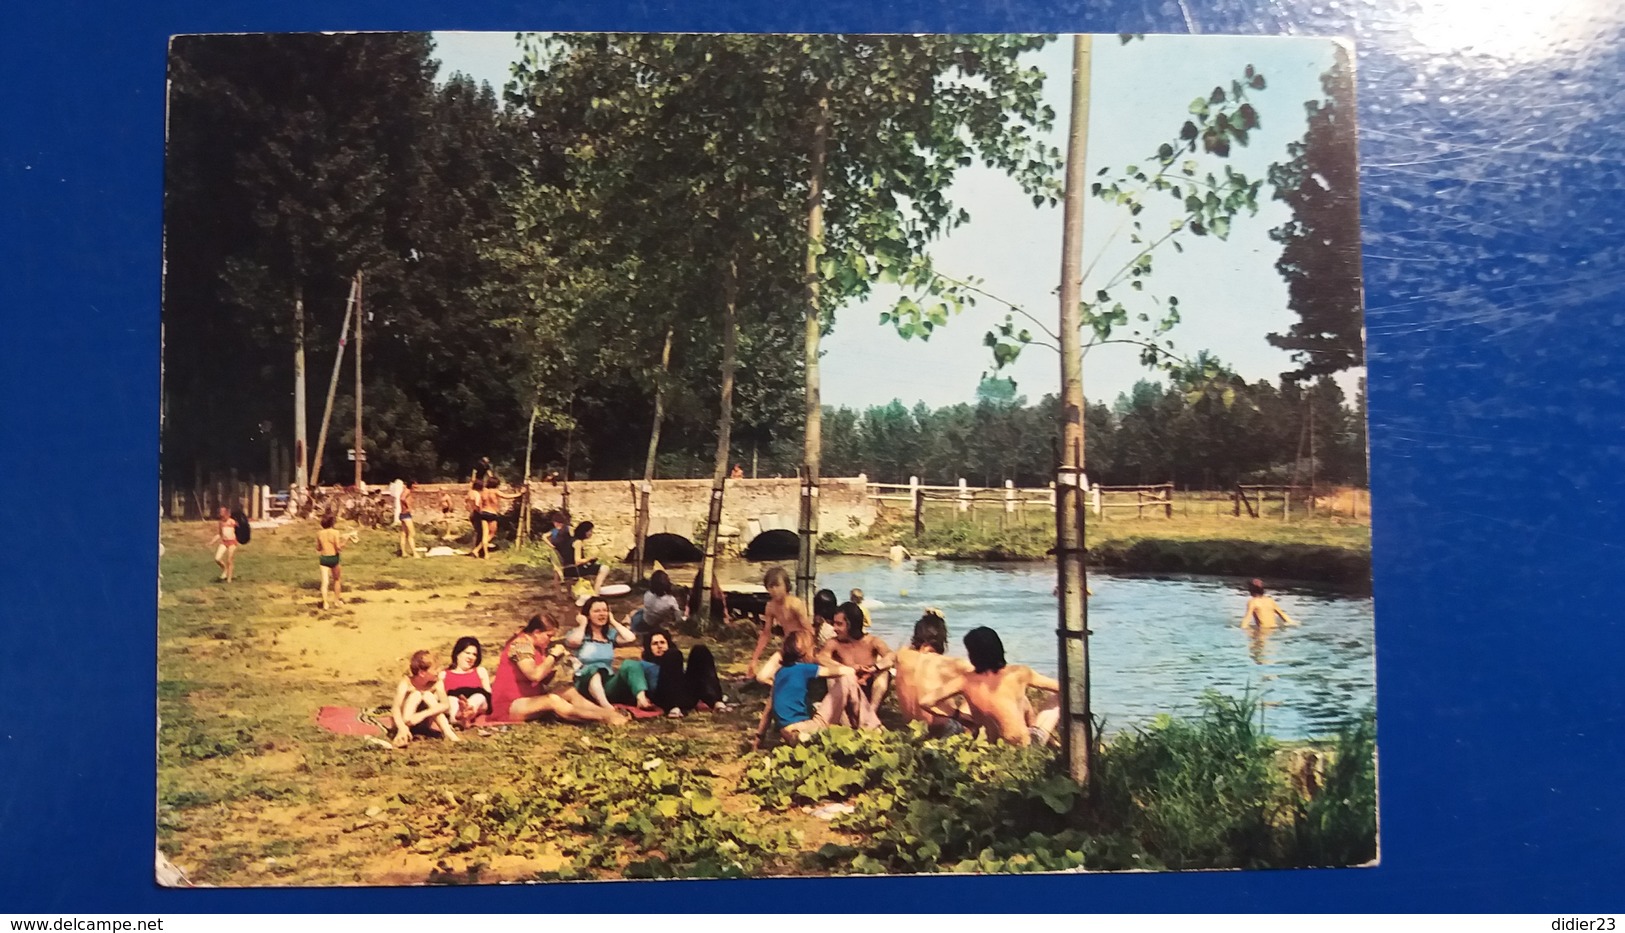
x=1493, y=202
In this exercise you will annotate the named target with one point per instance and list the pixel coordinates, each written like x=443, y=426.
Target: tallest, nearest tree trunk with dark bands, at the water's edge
x=1070, y=557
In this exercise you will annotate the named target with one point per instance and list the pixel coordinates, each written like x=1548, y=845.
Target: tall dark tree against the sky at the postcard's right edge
x=1320, y=256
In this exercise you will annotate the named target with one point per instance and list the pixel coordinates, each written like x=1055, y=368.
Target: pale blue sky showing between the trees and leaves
x=1231, y=293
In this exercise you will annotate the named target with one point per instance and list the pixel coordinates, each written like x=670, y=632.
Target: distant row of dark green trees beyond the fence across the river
x=1151, y=435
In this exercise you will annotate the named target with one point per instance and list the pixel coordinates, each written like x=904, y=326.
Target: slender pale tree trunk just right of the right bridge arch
x=807, y=529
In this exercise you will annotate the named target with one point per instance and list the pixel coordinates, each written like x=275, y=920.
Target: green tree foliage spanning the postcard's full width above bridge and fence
x=625, y=264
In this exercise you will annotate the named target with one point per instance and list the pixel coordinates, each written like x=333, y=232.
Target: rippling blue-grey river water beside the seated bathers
x=1159, y=641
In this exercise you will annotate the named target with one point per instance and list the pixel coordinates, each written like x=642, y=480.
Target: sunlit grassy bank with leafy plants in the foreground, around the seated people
x=253, y=792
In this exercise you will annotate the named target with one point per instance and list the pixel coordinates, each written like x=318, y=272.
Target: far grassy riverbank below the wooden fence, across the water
x=1306, y=549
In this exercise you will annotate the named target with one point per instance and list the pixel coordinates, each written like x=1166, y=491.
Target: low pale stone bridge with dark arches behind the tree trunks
x=758, y=516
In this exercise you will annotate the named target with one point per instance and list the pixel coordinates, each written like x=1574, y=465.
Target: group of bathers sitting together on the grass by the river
x=548, y=674
